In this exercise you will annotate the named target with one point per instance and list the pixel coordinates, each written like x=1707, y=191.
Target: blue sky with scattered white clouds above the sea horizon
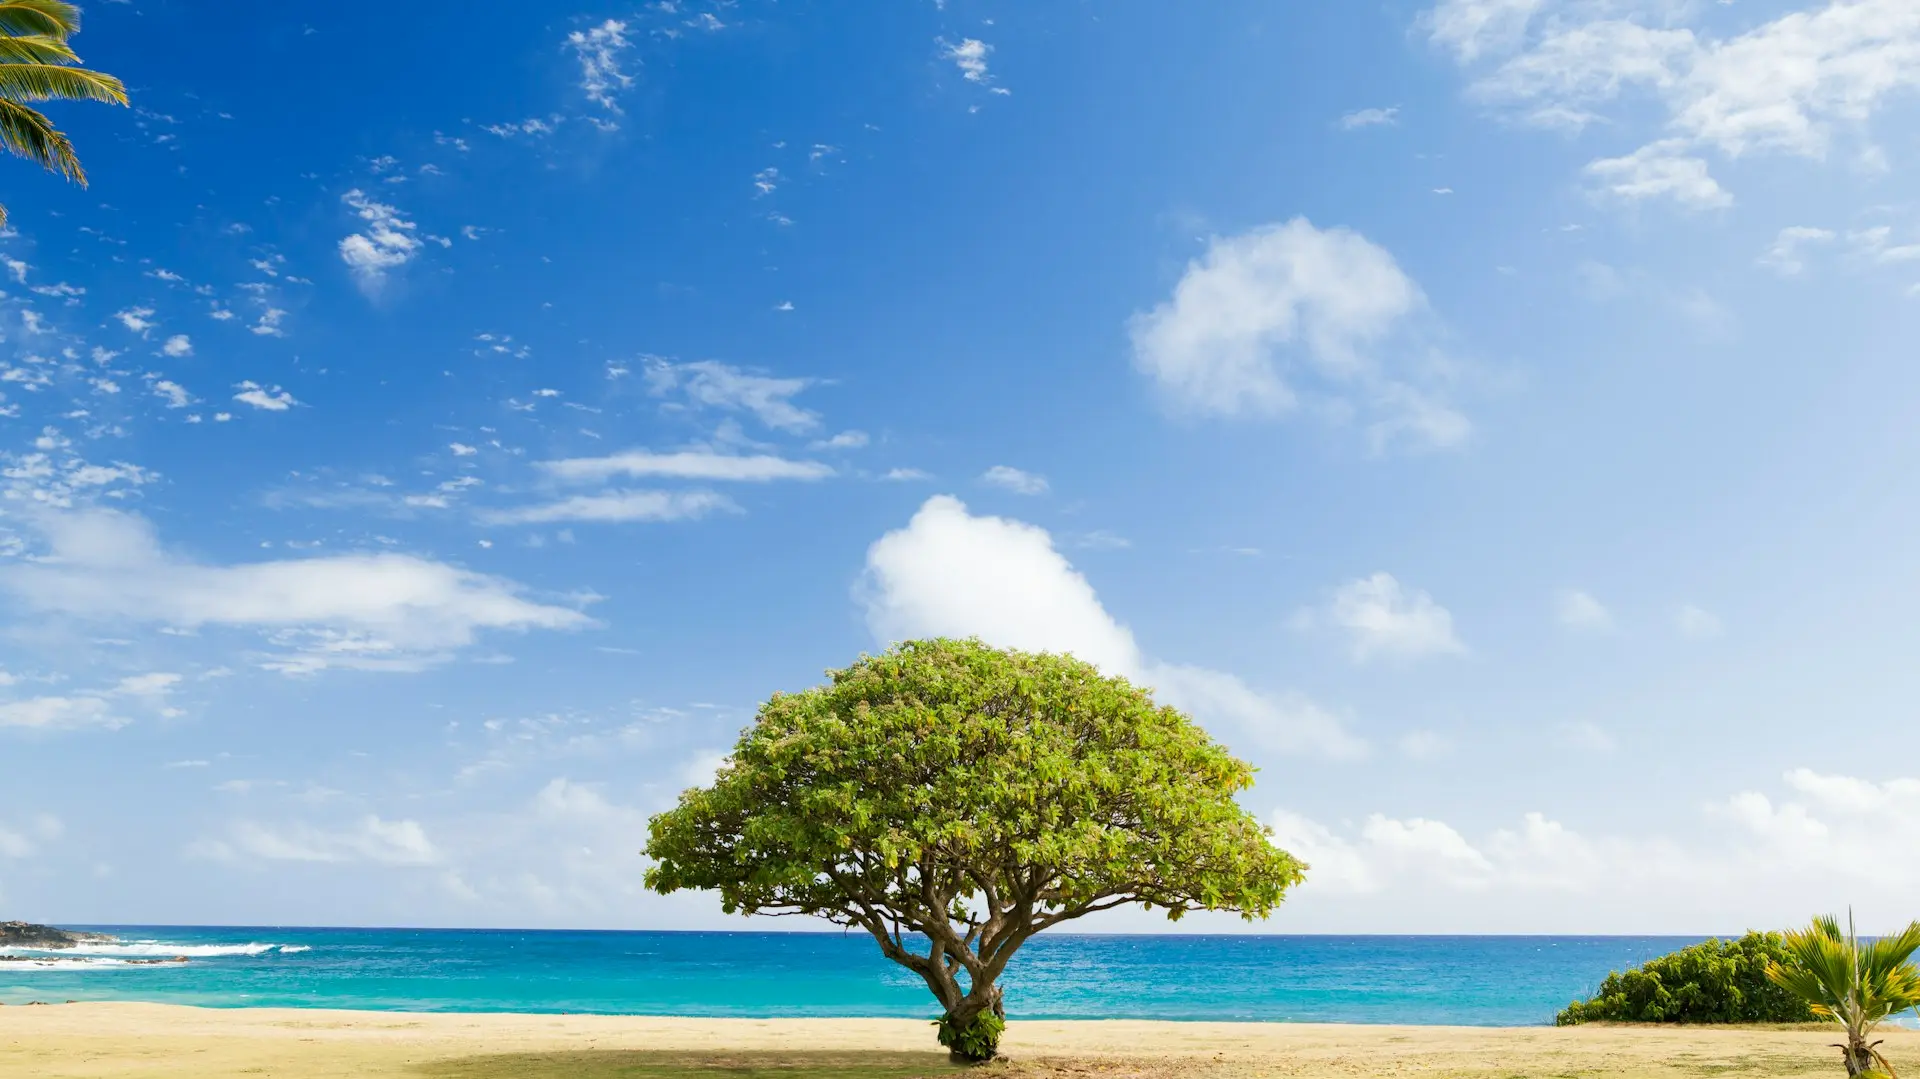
x=1493, y=418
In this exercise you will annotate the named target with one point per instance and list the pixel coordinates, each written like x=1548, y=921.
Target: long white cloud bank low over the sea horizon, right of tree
x=1746, y=861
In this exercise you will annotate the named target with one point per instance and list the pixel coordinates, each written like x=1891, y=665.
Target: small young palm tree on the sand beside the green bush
x=1858, y=986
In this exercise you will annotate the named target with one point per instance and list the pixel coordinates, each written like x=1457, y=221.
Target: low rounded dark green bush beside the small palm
x=1714, y=982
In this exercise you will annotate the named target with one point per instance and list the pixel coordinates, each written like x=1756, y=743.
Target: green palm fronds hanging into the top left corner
x=37, y=66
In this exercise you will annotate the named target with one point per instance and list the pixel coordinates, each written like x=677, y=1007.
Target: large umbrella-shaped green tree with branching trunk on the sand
x=955, y=800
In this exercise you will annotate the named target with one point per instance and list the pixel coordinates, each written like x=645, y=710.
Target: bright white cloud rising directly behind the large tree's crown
x=957, y=575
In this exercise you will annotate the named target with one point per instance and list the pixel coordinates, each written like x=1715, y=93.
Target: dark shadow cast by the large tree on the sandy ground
x=654, y=1065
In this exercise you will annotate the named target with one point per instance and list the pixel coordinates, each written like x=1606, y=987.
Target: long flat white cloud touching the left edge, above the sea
x=379, y=611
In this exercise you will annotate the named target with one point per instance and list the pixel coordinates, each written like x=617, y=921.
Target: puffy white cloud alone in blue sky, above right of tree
x=1289, y=299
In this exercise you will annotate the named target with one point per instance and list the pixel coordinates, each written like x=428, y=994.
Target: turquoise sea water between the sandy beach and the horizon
x=1351, y=980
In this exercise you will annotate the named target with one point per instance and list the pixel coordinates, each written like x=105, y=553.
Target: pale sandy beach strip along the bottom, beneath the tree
x=124, y=1042
